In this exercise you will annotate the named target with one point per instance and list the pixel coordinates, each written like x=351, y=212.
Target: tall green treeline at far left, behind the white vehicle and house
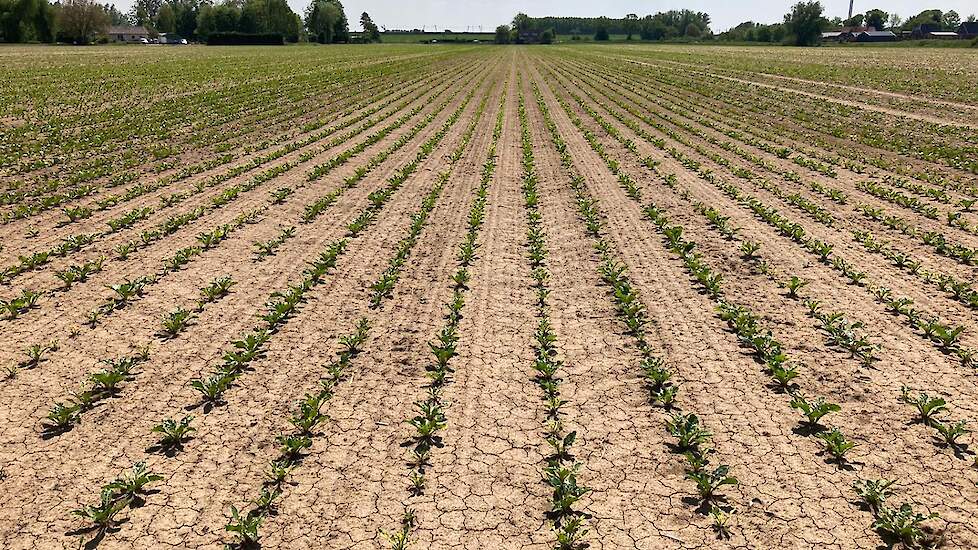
x=84, y=21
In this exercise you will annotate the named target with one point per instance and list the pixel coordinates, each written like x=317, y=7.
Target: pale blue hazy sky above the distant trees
x=459, y=14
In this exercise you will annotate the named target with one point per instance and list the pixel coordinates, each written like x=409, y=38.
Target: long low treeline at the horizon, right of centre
x=661, y=26
